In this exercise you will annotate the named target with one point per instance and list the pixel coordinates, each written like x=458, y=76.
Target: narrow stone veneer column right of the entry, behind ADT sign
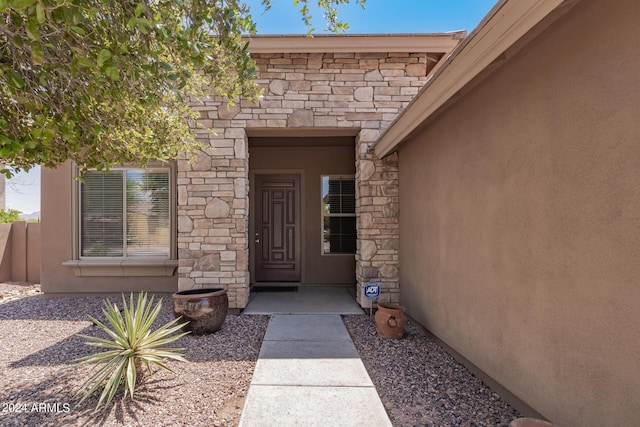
x=377, y=220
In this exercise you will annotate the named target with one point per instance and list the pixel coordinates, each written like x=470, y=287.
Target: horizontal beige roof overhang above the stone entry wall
x=436, y=43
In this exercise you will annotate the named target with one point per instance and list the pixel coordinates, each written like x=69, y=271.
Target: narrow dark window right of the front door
x=338, y=215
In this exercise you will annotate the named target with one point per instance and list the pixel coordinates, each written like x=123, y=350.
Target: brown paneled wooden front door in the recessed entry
x=277, y=228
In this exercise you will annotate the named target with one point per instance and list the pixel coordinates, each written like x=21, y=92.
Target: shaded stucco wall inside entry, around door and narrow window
x=313, y=161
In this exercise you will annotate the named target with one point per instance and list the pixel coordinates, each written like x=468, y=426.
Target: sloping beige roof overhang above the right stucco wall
x=506, y=23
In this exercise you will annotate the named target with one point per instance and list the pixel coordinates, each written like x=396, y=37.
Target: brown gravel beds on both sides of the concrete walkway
x=419, y=383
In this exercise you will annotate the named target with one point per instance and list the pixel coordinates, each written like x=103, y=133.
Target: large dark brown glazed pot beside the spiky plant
x=205, y=309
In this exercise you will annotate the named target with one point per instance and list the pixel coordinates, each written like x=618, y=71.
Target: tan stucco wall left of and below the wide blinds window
x=57, y=186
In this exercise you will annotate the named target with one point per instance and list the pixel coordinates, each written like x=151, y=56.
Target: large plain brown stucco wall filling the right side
x=519, y=219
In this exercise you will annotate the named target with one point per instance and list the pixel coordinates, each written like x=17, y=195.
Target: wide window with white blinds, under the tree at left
x=125, y=213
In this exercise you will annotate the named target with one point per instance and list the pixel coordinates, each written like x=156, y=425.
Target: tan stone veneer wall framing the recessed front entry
x=356, y=94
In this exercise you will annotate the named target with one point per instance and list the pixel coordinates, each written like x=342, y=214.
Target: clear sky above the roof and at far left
x=379, y=16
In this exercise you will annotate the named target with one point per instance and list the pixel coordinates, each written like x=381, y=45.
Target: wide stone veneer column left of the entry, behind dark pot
x=213, y=216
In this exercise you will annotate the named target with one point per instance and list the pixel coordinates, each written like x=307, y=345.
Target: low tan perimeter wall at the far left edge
x=20, y=252
